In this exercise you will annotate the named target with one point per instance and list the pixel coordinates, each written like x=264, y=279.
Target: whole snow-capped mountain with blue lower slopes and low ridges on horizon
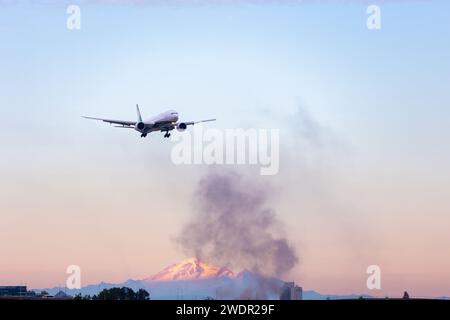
x=195, y=279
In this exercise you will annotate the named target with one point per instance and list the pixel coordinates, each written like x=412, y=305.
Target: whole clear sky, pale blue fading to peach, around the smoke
x=383, y=93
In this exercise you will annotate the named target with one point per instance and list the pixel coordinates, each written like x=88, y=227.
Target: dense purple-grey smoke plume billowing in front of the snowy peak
x=232, y=226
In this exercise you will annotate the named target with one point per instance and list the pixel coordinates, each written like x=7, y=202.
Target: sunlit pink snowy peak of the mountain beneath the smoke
x=190, y=269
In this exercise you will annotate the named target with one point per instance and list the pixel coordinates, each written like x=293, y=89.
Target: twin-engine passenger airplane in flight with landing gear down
x=163, y=122
